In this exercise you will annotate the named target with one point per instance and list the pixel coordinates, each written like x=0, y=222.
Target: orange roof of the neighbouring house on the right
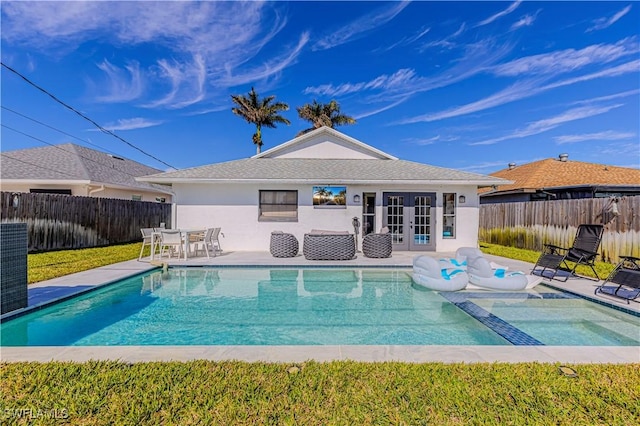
x=551, y=173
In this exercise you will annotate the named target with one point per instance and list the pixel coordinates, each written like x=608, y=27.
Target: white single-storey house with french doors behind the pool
x=327, y=180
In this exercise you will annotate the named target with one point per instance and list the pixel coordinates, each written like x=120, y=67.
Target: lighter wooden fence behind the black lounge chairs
x=530, y=225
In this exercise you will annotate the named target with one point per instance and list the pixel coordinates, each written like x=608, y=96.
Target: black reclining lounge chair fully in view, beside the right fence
x=583, y=252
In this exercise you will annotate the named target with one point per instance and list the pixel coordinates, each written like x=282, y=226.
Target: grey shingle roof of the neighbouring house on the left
x=77, y=164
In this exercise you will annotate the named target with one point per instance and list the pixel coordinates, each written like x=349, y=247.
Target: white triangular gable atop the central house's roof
x=325, y=143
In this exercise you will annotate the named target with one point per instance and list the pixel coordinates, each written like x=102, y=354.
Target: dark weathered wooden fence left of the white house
x=68, y=222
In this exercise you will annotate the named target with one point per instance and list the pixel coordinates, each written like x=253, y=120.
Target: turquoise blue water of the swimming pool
x=329, y=306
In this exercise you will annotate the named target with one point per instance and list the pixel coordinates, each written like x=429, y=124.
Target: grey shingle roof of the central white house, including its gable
x=292, y=167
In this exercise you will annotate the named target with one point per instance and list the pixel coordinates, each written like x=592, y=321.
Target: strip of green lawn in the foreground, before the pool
x=340, y=393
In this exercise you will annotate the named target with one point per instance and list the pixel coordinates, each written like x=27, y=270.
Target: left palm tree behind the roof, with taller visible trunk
x=261, y=112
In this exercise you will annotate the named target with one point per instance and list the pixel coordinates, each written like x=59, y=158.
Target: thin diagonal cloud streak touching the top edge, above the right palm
x=361, y=25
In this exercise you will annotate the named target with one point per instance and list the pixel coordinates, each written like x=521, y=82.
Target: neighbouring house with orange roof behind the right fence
x=560, y=179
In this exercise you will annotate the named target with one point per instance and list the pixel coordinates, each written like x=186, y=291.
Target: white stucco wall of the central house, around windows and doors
x=234, y=208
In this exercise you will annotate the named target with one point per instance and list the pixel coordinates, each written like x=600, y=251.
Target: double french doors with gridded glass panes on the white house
x=410, y=219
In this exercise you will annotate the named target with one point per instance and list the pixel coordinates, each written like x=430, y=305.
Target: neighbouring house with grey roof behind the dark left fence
x=77, y=170
